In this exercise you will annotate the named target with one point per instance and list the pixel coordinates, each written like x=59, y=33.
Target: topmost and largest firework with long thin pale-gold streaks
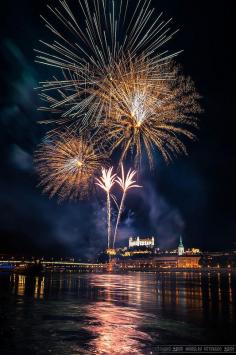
x=87, y=49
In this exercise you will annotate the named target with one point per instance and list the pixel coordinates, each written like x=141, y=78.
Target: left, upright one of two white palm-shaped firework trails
x=106, y=182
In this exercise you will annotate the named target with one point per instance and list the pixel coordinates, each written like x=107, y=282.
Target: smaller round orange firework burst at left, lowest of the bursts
x=67, y=165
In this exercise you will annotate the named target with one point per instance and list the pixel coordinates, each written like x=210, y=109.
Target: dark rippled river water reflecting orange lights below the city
x=115, y=313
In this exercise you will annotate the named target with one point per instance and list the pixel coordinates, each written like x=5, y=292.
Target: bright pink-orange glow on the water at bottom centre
x=116, y=329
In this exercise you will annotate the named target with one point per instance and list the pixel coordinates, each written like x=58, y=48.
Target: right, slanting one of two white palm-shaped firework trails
x=126, y=183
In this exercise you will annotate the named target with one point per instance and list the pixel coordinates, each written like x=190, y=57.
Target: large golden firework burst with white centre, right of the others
x=148, y=106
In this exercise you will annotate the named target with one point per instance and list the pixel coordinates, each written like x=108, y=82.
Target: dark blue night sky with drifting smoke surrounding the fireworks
x=192, y=196
